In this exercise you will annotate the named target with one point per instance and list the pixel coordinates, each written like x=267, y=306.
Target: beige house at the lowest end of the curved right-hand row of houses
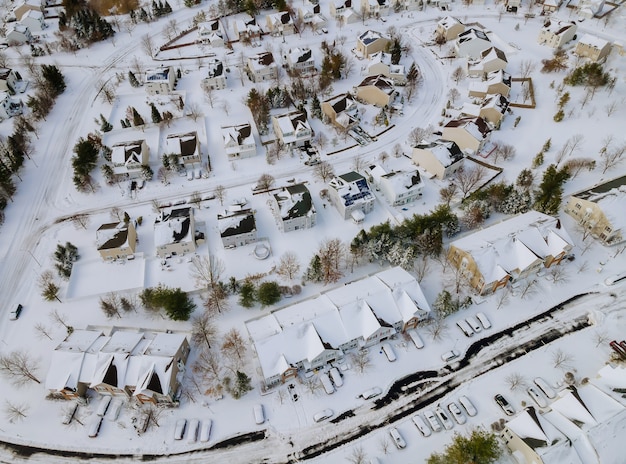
x=441, y=158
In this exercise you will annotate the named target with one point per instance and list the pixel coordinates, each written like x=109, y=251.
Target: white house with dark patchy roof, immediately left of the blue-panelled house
x=293, y=208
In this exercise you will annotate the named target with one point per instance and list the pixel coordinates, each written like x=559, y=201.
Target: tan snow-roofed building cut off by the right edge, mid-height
x=600, y=209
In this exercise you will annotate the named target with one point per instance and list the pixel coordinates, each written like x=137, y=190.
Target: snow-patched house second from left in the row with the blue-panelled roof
x=174, y=232
